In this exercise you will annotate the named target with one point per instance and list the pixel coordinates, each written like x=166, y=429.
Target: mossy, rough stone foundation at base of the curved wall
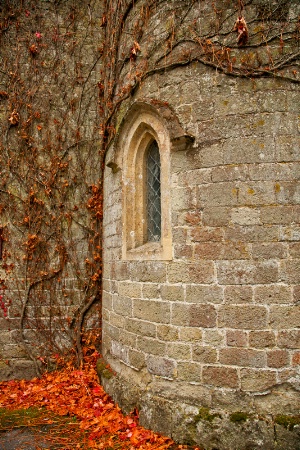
x=213, y=419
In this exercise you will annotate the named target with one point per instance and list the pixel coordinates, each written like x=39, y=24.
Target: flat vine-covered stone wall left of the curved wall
x=49, y=159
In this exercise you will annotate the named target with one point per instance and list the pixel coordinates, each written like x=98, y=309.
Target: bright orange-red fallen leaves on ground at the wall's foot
x=90, y=419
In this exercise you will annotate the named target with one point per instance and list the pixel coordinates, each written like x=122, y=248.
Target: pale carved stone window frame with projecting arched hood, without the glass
x=144, y=122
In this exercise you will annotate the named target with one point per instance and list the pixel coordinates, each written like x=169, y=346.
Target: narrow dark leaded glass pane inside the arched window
x=153, y=193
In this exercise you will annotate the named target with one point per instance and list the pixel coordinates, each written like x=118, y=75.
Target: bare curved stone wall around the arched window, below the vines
x=207, y=344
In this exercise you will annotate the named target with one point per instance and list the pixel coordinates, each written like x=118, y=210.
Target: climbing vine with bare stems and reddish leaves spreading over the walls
x=67, y=70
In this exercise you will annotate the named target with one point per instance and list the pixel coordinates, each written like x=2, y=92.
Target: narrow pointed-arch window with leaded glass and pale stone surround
x=145, y=144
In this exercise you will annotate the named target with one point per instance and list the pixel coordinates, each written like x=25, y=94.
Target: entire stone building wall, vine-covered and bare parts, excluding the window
x=206, y=344
